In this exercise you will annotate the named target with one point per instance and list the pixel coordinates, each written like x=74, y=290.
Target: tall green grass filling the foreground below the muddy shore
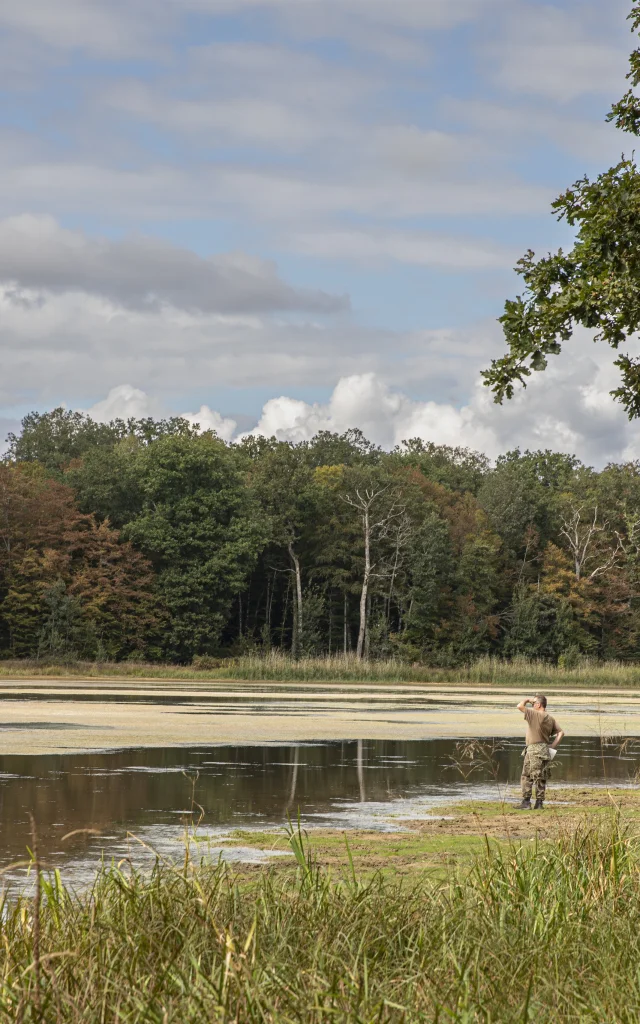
x=545, y=934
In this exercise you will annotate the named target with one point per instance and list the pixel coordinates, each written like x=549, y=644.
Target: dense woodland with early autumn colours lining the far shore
x=148, y=540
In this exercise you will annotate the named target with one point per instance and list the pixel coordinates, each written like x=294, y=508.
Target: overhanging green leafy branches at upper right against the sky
x=596, y=285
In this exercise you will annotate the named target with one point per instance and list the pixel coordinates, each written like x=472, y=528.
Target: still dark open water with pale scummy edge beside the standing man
x=147, y=796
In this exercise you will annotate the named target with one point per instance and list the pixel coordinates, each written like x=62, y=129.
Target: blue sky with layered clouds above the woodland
x=290, y=216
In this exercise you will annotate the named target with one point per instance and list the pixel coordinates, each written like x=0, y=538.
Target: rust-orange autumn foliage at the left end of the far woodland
x=69, y=586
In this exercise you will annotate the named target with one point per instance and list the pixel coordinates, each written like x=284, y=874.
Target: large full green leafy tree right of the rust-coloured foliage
x=202, y=531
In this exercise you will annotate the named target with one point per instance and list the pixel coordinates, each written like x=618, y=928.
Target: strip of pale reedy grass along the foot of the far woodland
x=280, y=668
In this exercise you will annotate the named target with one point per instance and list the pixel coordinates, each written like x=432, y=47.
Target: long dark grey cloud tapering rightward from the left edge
x=138, y=272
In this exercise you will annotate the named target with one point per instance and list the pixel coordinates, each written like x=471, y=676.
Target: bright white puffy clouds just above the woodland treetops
x=567, y=409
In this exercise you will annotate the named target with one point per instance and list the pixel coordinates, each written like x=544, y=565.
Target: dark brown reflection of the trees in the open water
x=252, y=786
